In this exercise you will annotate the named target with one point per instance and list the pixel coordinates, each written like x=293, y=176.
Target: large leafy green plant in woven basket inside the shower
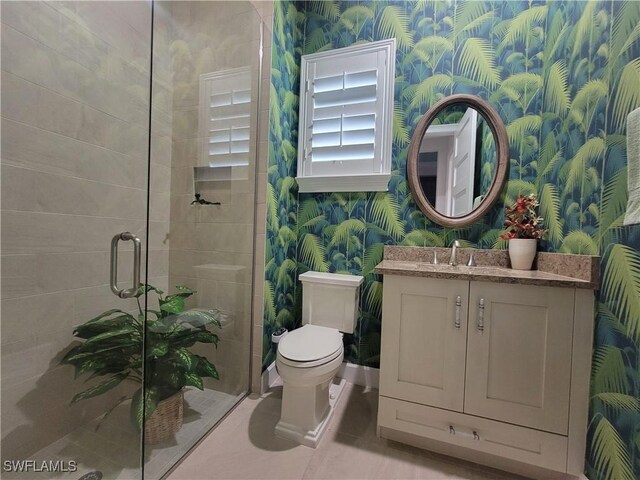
x=112, y=347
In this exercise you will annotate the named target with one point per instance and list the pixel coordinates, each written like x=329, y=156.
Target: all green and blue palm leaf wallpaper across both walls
x=563, y=75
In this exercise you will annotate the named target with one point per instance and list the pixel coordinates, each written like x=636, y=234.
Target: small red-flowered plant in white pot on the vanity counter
x=524, y=229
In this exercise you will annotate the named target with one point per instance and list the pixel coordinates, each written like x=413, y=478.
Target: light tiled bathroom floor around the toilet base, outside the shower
x=244, y=446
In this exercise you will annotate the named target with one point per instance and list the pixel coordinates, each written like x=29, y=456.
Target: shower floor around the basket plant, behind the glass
x=114, y=449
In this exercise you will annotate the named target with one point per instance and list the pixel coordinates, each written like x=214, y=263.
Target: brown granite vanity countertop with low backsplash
x=579, y=271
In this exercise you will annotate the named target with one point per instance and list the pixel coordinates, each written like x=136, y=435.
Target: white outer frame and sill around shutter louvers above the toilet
x=366, y=182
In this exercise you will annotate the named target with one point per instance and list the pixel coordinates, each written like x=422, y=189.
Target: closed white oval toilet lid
x=310, y=343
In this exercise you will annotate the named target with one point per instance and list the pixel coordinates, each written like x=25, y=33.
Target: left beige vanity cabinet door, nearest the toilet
x=424, y=331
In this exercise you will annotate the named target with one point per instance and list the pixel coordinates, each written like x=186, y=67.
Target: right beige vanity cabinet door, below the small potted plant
x=519, y=354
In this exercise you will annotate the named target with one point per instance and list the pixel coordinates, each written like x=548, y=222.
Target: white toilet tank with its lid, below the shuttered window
x=330, y=300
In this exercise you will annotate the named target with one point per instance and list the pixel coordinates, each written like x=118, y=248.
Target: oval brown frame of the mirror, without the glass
x=502, y=152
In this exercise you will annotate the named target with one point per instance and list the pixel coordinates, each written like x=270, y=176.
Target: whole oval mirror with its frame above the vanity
x=458, y=160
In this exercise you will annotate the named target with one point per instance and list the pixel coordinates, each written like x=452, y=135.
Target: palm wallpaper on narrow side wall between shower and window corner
x=281, y=289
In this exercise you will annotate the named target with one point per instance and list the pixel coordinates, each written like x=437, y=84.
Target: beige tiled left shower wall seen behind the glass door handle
x=74, y=172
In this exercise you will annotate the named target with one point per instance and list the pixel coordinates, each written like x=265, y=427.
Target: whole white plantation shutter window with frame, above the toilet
x=346, y=118
